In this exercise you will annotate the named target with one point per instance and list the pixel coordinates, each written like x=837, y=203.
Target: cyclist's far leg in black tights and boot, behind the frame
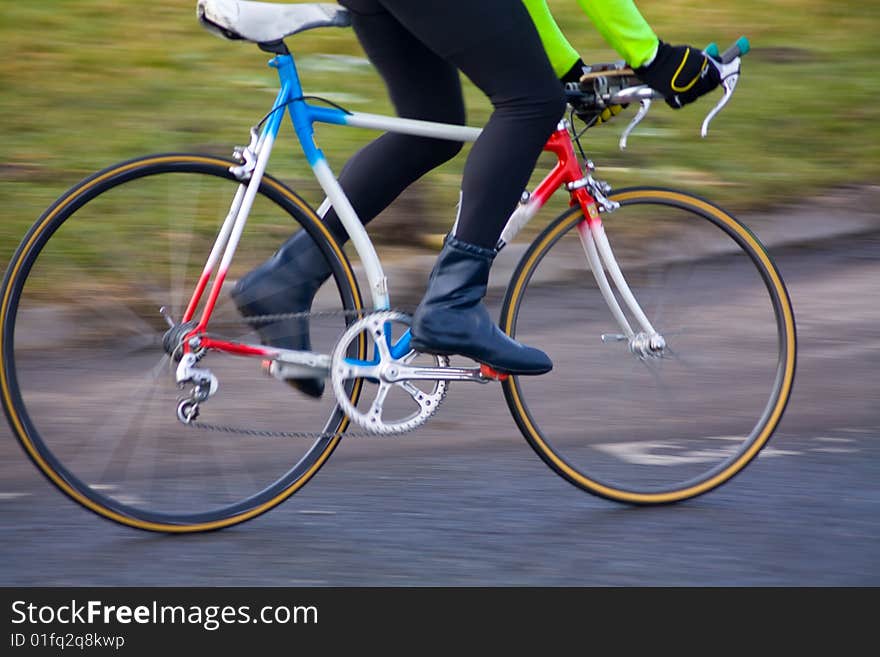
x=372, y=179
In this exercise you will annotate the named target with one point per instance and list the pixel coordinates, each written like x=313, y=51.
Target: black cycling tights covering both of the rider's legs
x=418, y=48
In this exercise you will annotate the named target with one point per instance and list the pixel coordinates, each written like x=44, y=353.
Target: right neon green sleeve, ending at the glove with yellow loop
x=624, y=28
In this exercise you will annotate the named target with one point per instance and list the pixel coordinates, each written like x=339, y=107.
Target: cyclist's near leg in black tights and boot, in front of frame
x=496, y=45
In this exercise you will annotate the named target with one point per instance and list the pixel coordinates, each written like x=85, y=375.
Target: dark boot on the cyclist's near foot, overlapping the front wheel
x=451, y=319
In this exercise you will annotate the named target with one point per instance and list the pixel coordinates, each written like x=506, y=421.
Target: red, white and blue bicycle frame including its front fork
x=566, y=172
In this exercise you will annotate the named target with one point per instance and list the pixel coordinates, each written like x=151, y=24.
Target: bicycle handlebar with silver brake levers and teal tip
x=605, y=93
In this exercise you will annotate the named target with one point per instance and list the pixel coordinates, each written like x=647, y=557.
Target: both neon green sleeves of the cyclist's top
x=618, y=21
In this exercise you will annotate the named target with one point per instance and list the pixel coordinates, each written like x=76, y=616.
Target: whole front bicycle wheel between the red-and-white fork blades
x=662, y=425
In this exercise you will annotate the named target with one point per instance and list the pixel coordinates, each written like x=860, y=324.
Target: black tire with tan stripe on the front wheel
x=785, y=322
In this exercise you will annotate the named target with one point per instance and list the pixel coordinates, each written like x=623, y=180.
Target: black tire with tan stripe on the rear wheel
x=12, y=402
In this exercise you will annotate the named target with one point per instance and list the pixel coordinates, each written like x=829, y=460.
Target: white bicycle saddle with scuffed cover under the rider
x=264, y=22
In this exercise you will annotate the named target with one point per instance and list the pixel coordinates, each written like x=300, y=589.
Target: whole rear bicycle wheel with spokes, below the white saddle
x=86, y=384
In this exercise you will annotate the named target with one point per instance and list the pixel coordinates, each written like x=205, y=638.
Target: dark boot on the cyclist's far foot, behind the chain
x=286, y=283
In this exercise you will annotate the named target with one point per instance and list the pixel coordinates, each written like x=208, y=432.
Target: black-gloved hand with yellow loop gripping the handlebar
x=681, y=73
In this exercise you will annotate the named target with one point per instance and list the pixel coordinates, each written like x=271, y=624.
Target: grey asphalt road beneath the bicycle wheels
x=466, y=502
